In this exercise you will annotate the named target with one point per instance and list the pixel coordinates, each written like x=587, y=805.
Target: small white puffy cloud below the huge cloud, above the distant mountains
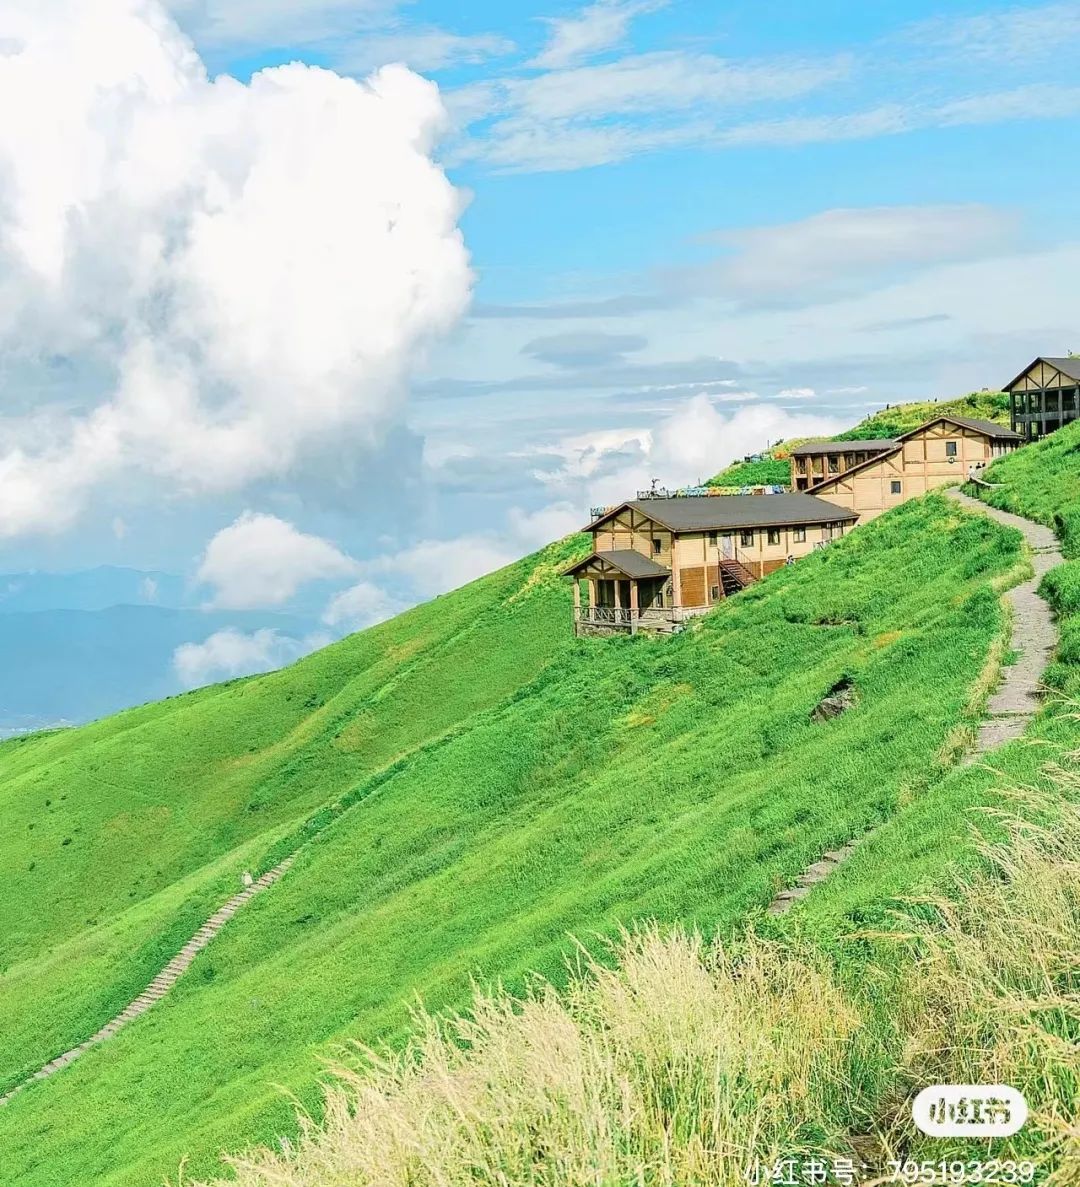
x=262, y=561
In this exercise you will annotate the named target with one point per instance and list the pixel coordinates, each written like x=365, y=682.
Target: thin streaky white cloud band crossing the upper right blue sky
x=575, y=113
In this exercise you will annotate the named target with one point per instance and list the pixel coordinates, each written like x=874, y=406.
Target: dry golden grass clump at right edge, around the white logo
x=994, y=996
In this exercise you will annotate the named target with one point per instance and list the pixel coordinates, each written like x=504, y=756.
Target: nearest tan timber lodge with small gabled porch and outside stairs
x=658, y=562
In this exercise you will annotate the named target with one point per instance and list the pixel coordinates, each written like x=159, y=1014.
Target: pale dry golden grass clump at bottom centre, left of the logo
x=677, y=1067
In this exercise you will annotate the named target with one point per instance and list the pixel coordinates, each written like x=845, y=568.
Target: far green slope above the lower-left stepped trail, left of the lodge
x=122, y=837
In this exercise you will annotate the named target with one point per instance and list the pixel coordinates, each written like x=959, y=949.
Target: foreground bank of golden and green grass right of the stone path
x=836, y=1014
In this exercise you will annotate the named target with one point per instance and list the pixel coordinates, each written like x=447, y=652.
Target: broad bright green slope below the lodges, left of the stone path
x=551, y=788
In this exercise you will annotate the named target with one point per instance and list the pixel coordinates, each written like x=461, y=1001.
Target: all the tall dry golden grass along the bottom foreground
x=687, y=1062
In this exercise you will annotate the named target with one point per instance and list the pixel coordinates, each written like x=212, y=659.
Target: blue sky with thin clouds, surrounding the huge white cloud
x=693, y=230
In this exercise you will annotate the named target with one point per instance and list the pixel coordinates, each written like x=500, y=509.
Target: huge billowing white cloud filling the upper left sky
x=237, y=275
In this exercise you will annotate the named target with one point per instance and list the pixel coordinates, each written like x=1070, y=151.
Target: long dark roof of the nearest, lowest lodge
x=711, y=513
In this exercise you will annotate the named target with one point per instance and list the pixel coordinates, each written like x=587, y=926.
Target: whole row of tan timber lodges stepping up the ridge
x=659, y=561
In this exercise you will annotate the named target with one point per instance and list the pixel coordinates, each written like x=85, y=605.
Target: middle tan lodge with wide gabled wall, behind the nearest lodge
x=942, y=453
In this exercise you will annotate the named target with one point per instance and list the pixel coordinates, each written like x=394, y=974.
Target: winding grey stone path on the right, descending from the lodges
x=1018, y=699
